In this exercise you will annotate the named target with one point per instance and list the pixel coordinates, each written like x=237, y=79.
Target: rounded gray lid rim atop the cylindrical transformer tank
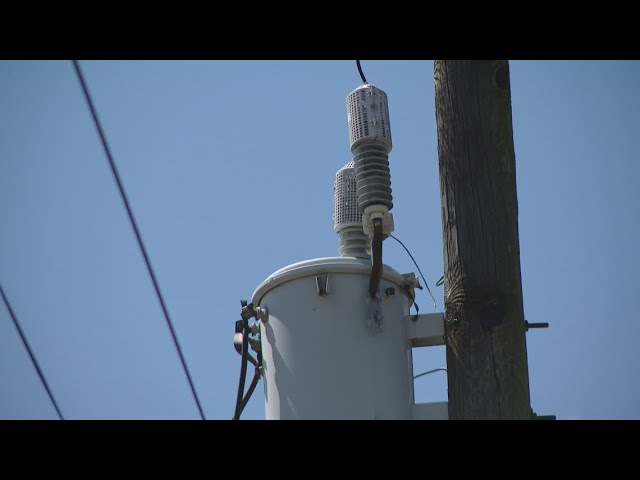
x=324, y=266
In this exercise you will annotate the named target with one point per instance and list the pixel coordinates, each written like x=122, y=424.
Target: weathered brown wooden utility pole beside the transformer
x=486, y=350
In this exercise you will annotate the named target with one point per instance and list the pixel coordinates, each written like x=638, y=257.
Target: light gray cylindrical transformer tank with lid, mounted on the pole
x=321, y=359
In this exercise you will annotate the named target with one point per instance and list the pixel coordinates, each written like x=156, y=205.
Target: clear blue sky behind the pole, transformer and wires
x=229, y=167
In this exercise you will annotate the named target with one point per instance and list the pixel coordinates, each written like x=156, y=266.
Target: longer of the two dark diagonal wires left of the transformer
x=136, y=230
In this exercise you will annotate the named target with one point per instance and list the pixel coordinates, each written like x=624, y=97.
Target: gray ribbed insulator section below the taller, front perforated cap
x=373, y=177
